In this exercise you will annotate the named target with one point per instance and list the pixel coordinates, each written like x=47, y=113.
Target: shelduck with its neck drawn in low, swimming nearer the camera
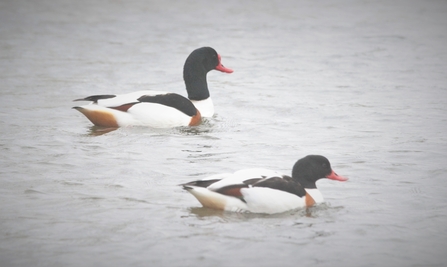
x=265, y=191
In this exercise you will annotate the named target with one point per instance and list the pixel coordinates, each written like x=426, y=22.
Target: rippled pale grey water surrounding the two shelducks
x=362, y=82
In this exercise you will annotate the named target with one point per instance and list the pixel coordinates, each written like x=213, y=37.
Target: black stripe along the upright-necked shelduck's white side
x=172, y=100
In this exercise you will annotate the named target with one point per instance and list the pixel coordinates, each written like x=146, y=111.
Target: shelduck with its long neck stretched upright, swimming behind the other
x=157, y=108
